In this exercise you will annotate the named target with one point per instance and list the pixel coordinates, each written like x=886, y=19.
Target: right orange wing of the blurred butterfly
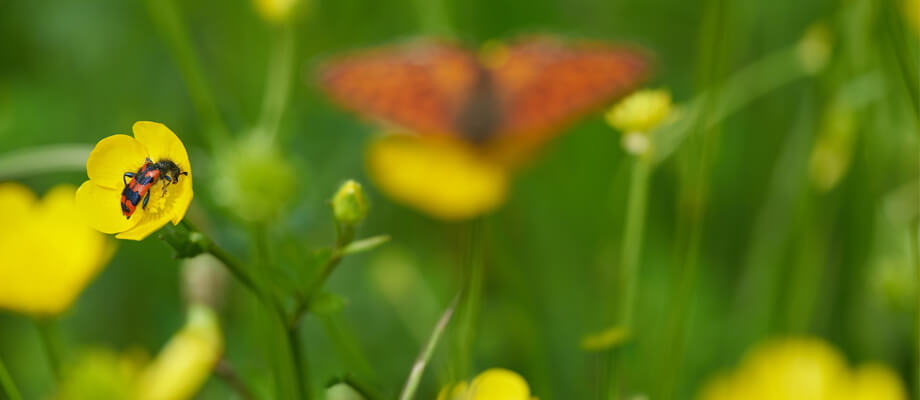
x=544, y=83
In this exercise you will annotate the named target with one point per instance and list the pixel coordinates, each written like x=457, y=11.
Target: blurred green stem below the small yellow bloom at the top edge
x=278, y=82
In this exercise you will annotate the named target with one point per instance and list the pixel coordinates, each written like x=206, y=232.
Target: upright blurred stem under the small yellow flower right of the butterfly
x=629, y=265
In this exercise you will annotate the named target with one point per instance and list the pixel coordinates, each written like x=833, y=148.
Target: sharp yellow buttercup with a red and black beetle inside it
x=99, y=198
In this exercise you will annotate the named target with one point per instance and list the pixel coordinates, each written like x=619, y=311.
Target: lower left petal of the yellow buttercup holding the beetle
x=101, y=208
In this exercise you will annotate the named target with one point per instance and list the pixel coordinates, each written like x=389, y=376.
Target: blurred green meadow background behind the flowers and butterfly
x=773, y=252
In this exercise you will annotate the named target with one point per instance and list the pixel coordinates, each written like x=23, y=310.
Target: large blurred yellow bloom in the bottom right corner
x=802, y=369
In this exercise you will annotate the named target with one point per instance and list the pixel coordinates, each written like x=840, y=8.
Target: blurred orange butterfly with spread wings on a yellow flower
x=517, y=95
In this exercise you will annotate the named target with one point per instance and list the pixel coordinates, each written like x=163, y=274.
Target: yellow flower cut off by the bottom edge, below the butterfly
x=492, y=384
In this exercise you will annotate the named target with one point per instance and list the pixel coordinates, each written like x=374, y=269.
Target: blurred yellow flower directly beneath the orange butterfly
x=444, y=178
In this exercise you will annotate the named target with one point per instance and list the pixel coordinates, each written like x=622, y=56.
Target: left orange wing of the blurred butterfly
x=419, y=85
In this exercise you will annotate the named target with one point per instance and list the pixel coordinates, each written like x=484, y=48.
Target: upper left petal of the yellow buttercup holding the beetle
x=112, y=157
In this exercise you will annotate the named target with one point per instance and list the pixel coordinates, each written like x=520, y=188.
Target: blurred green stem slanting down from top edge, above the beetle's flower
x=168, y=19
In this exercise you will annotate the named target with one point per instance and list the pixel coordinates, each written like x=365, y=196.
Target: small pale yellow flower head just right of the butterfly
x=641, y=111
